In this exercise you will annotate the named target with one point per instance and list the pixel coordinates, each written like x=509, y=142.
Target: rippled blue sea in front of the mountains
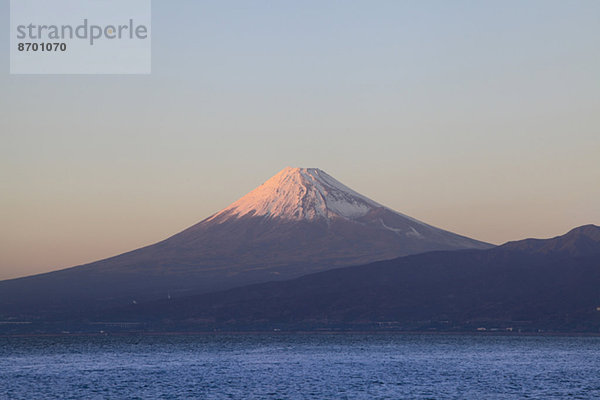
x=300, y=366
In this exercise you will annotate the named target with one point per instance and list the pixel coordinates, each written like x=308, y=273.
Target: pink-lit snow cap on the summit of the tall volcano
x=301, y=193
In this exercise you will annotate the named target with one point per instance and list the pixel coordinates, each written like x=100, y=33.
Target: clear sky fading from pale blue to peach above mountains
x=477, y=117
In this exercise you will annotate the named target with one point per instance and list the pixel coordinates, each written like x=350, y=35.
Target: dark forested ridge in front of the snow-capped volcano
x=551, y=284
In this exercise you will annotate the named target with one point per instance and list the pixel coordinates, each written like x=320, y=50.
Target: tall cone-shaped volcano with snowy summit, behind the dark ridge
x=300, y=221
